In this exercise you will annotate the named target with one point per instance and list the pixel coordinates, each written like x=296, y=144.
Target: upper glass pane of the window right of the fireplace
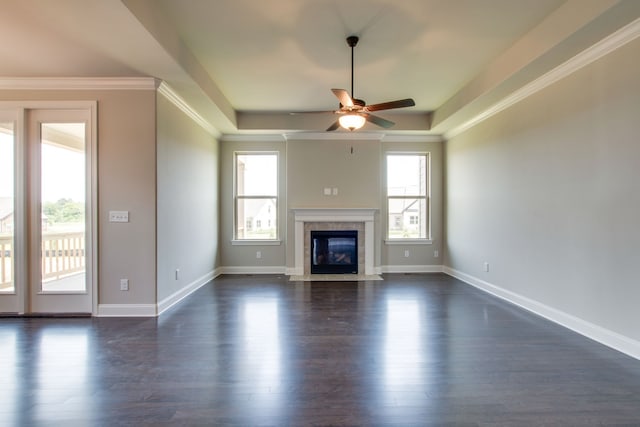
x=406, y=175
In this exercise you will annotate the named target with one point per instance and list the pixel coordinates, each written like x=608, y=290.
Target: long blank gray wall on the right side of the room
x=547, y=192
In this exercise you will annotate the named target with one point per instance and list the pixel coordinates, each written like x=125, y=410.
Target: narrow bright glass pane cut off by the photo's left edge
x=6, y=207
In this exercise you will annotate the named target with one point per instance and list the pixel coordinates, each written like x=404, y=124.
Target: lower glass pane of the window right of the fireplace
x=407, y=218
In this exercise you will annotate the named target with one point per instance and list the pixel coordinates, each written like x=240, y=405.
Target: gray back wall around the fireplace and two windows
x=307, y=167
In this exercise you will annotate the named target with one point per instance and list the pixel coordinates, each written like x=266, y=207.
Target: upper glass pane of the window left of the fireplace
x=257, y=174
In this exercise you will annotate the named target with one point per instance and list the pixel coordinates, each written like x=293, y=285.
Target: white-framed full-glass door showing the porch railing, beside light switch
x=58, y=211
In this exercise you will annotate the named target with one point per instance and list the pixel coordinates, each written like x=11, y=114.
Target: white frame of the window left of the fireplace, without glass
x=236, y=198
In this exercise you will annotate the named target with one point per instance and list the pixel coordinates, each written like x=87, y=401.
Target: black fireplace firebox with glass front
x=334, y=252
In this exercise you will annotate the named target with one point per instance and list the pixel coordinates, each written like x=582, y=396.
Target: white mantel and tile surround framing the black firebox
x=360, y=219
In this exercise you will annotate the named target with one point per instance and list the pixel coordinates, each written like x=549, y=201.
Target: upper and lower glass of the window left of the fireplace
x=255, y=194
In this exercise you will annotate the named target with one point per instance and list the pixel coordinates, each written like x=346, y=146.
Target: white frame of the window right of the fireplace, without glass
x=426, y=197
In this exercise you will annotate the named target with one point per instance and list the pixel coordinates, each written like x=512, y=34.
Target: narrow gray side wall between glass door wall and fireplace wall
x=187, y=216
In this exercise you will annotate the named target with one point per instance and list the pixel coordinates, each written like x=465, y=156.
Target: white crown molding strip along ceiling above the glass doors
x=78, y=83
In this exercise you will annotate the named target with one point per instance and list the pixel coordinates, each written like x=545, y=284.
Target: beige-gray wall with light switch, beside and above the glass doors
x=126, y=181
